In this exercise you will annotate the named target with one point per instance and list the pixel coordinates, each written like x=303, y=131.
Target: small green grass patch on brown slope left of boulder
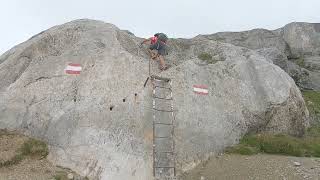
x=30, y=148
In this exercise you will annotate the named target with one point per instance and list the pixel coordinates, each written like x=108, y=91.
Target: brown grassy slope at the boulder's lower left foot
x=27, y=155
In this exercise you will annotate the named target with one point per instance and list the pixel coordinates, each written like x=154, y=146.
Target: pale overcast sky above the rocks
x=20, y=19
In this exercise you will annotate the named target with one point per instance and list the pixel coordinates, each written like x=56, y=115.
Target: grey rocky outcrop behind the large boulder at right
x=284, y=46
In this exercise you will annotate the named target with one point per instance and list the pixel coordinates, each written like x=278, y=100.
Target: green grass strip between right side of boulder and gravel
x=308, y=146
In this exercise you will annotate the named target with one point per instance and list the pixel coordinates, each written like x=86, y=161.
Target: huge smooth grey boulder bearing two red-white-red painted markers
x=99, y=123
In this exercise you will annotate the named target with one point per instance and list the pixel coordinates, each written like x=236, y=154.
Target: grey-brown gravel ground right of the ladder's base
x=256, y=167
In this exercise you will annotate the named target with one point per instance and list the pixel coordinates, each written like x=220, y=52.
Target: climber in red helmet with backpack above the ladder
x=158, y=42
